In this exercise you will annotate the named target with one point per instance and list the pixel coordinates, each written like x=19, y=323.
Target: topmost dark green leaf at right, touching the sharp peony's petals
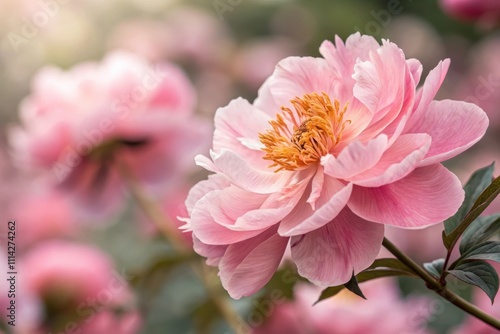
x=477, y=183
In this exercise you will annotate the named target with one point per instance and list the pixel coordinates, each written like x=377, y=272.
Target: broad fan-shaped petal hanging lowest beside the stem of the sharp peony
x=330, y=255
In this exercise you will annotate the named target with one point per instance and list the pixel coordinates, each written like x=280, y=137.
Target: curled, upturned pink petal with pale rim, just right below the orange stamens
x=397, y=162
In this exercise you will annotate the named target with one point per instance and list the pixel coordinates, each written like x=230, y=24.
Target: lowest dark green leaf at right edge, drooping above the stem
x=480, y=274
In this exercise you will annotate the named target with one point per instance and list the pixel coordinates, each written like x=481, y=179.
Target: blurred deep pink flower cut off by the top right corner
x=472, y=9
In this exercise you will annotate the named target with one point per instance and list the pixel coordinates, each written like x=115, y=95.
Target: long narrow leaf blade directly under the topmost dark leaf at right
x=482, y=202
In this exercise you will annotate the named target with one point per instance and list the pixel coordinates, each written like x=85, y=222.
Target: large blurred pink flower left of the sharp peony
x=81, y=123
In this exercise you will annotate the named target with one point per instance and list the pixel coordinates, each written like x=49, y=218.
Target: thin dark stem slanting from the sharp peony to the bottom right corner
x=439, y=288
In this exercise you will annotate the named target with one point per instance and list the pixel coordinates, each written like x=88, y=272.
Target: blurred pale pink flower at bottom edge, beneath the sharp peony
x=384, y=312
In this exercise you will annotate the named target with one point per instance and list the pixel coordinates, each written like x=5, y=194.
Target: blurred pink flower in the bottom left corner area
x=74, y=283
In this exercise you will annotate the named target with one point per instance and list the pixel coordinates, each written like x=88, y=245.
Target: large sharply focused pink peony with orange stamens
x=332, y=149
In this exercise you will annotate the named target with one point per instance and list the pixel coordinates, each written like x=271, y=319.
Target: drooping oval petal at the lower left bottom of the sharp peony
x=247, y=266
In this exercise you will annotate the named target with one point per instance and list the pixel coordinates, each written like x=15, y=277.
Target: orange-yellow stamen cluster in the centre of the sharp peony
x=317, y=126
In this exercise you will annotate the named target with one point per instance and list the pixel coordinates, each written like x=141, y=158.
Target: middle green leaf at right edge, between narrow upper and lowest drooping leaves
x=481, y=229
